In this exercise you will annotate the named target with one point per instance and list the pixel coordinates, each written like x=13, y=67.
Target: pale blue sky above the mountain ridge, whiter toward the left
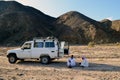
x=95, y=9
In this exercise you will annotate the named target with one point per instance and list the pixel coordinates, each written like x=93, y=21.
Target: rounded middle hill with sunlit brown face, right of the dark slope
x=83, y=29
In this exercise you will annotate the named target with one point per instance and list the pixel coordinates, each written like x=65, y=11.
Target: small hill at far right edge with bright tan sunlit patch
x=113, y=29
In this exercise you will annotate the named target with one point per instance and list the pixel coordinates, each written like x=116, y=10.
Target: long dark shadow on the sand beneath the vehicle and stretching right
x=61, y=64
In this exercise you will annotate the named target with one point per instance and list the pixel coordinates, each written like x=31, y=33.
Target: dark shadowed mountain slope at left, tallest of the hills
x=19, y=23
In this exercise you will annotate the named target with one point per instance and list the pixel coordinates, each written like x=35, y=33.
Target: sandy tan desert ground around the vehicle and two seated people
x=104, y=65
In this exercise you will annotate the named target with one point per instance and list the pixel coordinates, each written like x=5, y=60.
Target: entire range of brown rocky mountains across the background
x=19, y=23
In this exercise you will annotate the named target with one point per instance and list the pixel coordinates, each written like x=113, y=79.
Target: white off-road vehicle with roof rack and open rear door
x=45, y=49
